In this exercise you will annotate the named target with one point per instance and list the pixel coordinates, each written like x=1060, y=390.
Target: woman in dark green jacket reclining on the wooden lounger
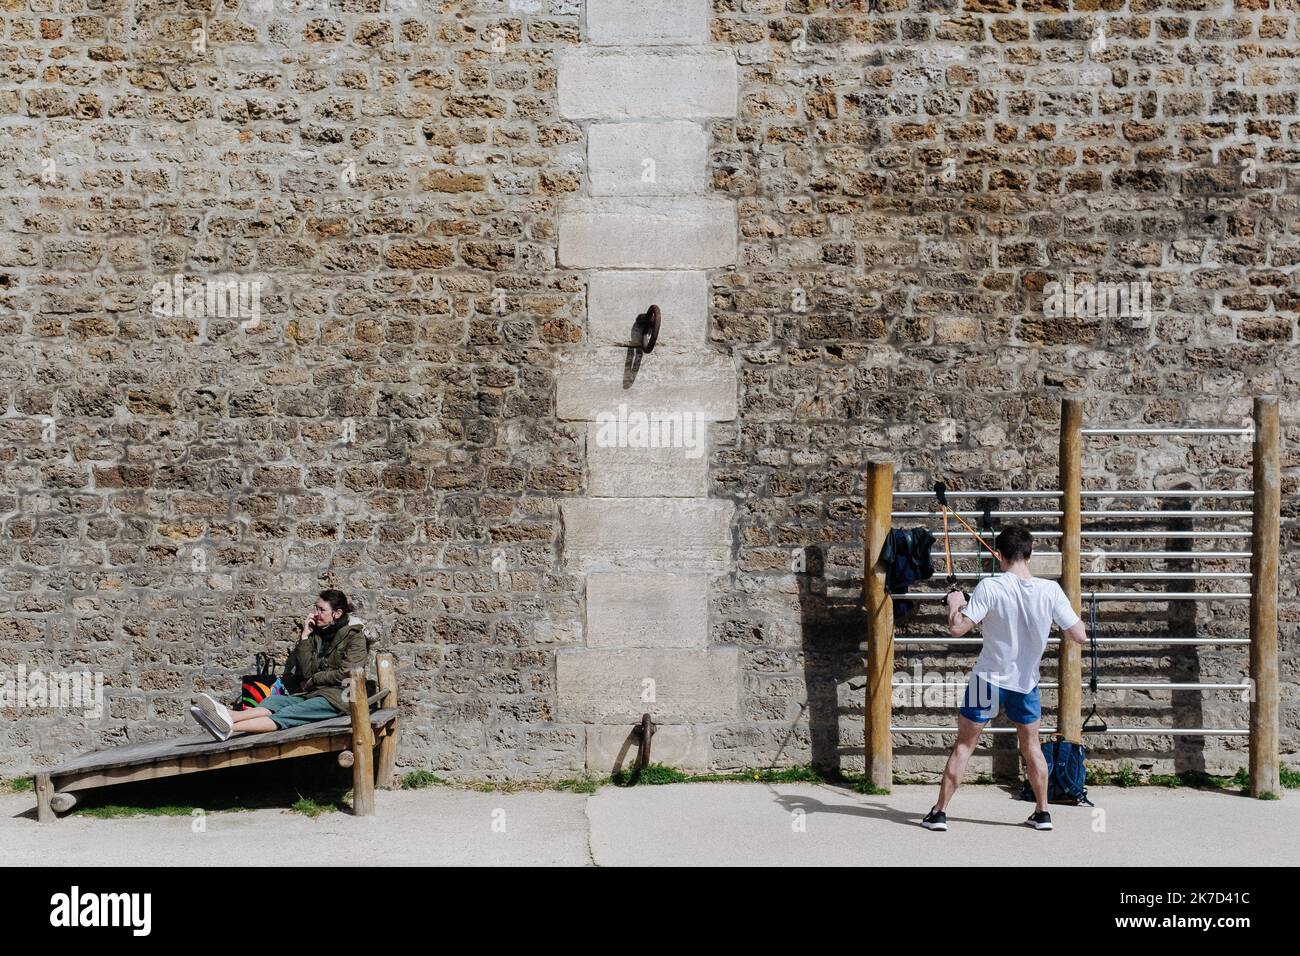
x=328, y=650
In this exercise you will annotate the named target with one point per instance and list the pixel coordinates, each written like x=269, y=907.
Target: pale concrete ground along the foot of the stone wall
x=692, y=824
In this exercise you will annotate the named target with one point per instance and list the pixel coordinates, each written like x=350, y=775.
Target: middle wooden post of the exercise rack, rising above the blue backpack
x=1069, y=657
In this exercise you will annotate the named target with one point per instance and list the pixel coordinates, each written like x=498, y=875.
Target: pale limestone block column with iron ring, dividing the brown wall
x=648, y=537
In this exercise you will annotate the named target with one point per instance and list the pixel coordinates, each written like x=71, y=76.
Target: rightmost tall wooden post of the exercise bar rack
x=1264, y=600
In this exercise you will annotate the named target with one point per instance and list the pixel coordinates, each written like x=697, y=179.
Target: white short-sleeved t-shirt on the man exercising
x=1017, y=615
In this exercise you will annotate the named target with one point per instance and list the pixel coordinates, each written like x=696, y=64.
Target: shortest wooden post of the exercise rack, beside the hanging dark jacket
x=879, y=626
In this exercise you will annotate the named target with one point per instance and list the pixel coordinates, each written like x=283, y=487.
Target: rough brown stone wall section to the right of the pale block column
x=891, y=304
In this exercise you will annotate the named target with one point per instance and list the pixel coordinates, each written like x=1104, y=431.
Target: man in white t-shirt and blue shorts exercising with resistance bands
x=1017, y=611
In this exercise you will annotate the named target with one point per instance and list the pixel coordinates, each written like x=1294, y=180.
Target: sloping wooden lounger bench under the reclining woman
x=353, y=737
